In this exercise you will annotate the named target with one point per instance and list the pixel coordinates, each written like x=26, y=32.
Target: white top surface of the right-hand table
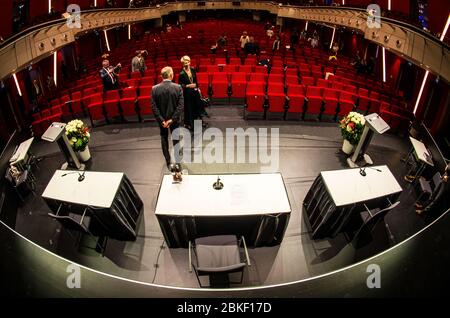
x=348, y=186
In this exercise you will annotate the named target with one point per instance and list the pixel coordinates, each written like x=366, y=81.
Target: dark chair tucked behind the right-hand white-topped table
x=370, y=219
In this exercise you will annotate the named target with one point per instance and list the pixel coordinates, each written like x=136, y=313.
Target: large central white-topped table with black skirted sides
x=249, y=204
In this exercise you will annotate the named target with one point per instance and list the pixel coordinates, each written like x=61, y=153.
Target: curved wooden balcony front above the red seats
x=404, y=39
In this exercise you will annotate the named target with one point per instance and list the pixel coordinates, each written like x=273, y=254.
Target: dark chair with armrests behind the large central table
x=217, y=256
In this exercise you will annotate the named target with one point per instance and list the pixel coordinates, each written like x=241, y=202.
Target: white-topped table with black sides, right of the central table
x=334, y=196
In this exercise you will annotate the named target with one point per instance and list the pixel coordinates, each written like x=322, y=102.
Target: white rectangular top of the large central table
x=242, y=194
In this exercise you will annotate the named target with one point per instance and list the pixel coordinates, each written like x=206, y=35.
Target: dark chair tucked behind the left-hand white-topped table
x=82, y=224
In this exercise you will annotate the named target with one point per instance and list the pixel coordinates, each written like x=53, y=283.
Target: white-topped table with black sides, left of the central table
x=110, y=196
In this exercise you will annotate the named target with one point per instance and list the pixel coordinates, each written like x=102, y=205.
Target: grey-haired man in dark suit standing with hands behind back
x=167, y=106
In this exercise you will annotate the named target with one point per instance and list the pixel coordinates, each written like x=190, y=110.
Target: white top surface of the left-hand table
x=98, y=189
